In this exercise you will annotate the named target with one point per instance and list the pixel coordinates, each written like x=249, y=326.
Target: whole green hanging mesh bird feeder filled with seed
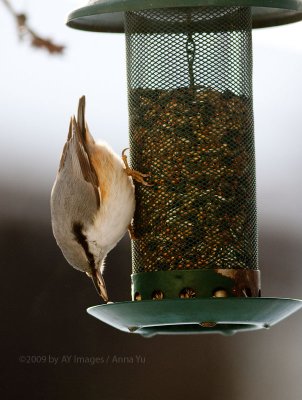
x=189, y=69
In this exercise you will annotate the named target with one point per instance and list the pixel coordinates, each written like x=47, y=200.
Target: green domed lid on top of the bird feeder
x=108, y=15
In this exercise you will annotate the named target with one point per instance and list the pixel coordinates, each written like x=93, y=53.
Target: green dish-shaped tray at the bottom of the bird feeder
x=195, y=316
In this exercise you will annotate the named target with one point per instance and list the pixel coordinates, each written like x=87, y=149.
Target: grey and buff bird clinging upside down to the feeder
x=92, y=200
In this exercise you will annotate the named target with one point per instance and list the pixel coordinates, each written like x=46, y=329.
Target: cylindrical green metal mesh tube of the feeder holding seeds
x=191, y=127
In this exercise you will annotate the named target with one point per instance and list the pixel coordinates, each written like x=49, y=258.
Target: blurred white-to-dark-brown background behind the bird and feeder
x=44, y=301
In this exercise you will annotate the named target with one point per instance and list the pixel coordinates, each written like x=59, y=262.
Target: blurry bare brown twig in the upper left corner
x=25, y=31
